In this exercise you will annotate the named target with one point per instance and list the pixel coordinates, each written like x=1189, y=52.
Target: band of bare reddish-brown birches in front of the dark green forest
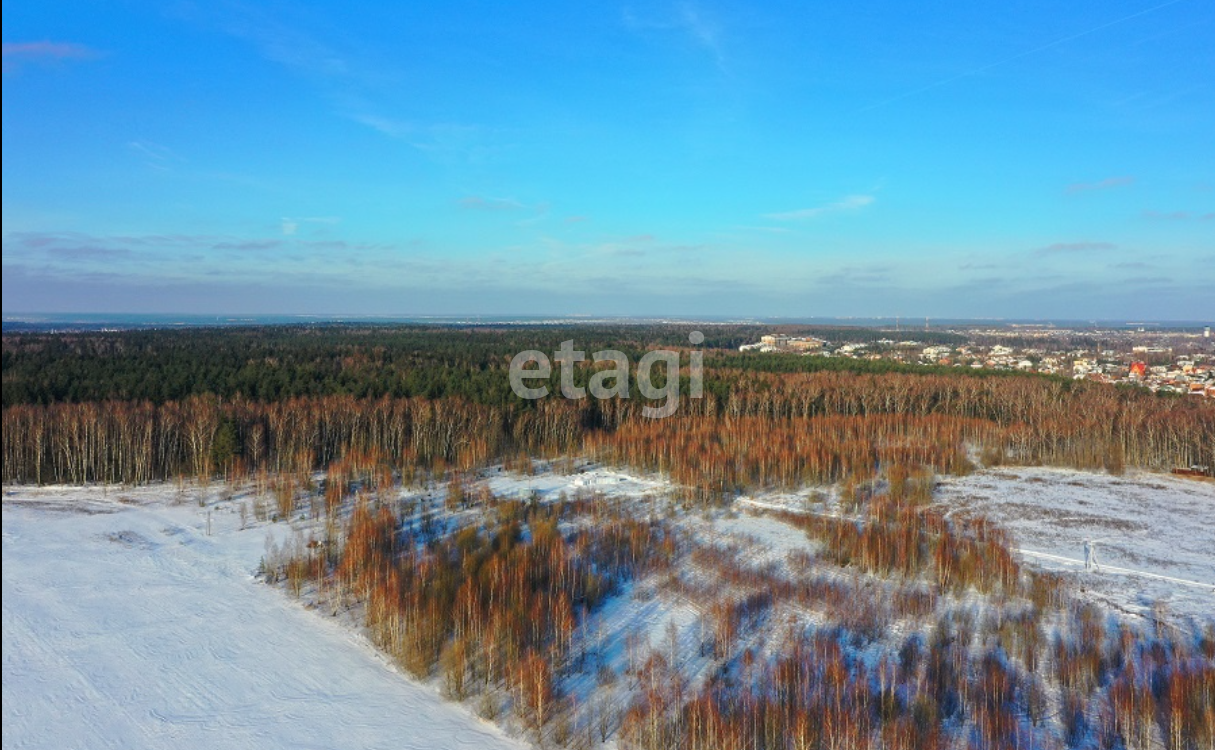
x=761, y=428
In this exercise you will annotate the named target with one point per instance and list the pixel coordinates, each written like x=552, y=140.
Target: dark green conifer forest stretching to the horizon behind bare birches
x=272, y=364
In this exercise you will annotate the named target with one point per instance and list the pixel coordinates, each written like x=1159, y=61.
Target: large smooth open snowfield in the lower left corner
x=127, y=627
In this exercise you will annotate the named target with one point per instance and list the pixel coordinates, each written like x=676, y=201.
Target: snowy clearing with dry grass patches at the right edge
x=1155, y=533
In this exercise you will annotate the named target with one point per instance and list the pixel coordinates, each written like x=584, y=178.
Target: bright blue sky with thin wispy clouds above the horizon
x=985, y=160
